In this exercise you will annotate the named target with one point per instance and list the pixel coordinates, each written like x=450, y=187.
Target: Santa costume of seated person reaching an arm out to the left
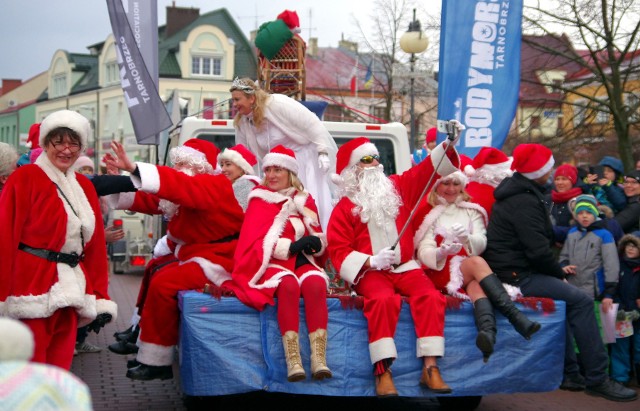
x=202, y=233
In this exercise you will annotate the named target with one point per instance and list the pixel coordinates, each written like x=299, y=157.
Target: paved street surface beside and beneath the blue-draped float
x=104, y=372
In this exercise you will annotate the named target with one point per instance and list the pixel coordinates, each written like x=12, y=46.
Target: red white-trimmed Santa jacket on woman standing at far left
x=33, y=212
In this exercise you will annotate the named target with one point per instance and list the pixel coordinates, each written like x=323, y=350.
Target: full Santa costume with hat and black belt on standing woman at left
x=49, y=213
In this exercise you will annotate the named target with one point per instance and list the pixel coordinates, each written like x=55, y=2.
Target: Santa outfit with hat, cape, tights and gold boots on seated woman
x=267, y=264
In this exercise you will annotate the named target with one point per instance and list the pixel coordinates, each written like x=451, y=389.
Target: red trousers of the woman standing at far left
x=55, y=337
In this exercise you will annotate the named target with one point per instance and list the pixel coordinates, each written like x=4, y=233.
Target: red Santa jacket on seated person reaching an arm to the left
x=205, y=228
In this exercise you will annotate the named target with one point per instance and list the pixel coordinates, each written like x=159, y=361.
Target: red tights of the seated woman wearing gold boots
x=314, y=292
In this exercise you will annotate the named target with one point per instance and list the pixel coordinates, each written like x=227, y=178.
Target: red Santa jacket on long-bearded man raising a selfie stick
x=352, y=242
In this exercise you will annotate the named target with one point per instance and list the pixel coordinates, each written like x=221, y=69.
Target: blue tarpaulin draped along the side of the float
x=228, y=348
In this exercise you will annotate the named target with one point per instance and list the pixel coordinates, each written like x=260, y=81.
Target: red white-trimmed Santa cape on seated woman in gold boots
x=273, y=221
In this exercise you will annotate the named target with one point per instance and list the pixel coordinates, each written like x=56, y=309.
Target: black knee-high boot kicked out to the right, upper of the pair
x=492, y=287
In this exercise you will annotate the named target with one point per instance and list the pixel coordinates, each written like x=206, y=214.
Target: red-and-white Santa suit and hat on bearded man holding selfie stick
x=353, y=242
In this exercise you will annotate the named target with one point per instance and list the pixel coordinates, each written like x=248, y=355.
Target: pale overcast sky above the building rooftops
x=32, y=30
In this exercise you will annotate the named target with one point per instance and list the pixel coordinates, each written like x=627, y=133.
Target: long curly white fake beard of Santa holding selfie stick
x=373, y=193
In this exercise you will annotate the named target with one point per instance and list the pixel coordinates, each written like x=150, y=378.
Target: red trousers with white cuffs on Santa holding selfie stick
x=383, y=291
